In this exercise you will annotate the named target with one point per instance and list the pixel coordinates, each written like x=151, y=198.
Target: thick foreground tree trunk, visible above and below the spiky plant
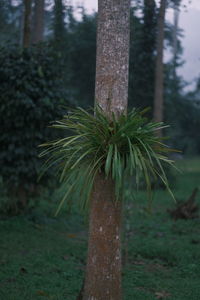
x=103, y=271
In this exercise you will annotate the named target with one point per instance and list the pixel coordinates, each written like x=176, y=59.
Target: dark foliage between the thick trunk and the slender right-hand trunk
x=142, y=69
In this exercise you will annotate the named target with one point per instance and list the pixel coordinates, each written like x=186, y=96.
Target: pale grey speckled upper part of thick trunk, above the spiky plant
x=112, y=55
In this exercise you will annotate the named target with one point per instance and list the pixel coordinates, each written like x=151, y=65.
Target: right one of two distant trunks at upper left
x=38, y=22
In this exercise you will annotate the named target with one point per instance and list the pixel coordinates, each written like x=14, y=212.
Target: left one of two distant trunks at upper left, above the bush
x=27, y=24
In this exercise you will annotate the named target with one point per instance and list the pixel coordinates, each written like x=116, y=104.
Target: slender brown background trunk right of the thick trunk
x=158, y=100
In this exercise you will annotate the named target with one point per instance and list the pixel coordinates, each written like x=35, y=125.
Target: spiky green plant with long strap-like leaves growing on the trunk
x=122, y=147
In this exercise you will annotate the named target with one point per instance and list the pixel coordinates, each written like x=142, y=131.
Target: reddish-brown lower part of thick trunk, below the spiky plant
x=103, y=278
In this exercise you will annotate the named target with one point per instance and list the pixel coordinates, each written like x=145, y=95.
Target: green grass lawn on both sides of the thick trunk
x=42, y=257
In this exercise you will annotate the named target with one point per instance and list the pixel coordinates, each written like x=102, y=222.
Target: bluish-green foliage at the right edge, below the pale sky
x=182, y=112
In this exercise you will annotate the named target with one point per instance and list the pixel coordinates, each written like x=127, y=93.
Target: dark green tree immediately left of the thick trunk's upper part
x=82, y=53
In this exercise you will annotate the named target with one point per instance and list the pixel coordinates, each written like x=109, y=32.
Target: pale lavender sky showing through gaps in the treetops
x=189, y=21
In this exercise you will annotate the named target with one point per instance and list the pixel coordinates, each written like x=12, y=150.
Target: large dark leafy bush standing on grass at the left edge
x=30, y=94
